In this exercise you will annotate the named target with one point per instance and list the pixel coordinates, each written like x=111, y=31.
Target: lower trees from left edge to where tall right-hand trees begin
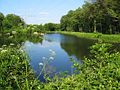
x=15, y=22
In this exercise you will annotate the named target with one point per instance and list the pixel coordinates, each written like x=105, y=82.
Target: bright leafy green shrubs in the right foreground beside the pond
x=100, y=72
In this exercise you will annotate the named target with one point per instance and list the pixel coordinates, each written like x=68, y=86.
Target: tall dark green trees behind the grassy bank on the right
x=99, y=16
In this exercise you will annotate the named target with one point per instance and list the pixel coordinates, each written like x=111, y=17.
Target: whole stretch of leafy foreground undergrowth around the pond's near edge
x=101, y=71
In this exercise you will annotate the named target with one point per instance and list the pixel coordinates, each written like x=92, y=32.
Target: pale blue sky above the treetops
x=39, y=11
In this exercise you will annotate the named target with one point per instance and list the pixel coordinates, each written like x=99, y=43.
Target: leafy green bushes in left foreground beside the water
x=15, y=71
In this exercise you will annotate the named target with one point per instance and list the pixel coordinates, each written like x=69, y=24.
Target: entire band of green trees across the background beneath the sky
x=96, y=16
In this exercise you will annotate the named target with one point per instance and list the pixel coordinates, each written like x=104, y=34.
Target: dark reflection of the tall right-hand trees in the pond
x=74, y=46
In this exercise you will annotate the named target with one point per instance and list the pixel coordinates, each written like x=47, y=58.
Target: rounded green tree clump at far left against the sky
x=11, y=22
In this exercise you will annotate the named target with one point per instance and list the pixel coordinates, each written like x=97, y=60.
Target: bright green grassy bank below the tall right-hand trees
x=96, y=36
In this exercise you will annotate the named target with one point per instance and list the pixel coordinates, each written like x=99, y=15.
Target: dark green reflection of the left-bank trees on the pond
x=19, y=39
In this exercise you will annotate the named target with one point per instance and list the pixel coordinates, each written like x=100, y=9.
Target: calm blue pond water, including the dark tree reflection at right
x=64, y=48
